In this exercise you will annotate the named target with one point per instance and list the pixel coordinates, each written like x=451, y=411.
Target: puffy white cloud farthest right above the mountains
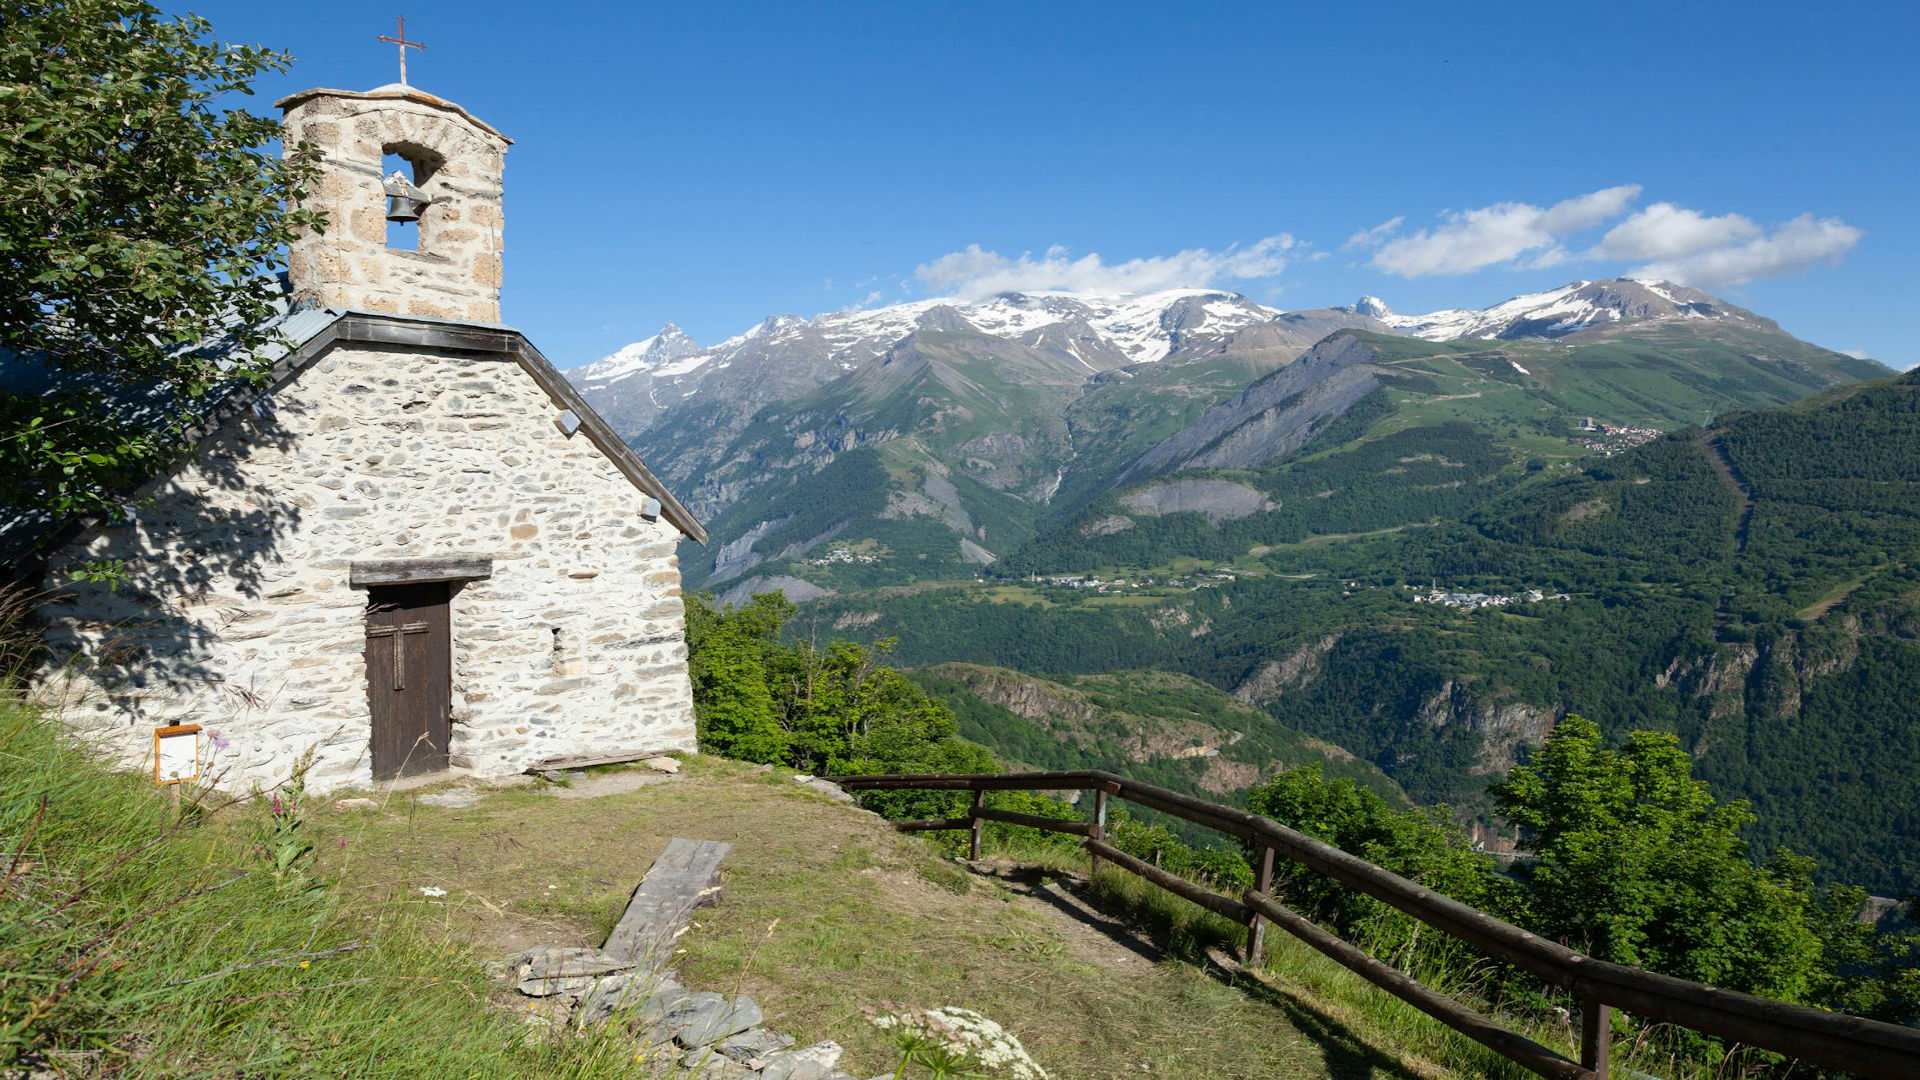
x=1689, y=255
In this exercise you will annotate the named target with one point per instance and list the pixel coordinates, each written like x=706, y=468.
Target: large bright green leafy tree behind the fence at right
x=1639, y=864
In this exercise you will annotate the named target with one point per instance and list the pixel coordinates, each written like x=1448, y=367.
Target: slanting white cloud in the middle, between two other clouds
x=1500, y=233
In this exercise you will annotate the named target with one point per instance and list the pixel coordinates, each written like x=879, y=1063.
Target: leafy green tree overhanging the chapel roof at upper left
x=139, y=216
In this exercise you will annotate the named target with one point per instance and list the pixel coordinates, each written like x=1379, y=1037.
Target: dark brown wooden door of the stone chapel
x=410, y=677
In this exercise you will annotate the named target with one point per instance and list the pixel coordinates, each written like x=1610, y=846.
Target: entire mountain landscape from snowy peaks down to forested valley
x=1408, y=543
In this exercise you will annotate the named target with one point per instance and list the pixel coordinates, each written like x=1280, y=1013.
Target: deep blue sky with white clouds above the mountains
x=719, y=162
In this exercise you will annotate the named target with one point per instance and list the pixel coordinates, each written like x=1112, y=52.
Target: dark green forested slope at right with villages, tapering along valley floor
x=1752, y=587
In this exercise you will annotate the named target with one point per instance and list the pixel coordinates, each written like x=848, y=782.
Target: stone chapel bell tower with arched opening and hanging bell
x=412, y=191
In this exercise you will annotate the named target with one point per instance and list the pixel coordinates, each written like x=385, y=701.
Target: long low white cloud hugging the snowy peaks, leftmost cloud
x=976, y=274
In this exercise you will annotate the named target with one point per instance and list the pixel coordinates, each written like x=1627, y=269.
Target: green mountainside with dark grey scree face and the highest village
x=1374, y=431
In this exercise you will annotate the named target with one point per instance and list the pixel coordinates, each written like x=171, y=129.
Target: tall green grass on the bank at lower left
x=143, y=939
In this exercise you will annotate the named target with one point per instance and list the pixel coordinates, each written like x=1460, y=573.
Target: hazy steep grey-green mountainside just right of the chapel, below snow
x=915, y=466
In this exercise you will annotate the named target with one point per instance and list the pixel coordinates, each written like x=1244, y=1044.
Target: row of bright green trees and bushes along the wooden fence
x=1631, y=856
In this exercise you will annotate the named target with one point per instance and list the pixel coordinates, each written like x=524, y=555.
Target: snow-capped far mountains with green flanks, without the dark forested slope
x=930, y=439
